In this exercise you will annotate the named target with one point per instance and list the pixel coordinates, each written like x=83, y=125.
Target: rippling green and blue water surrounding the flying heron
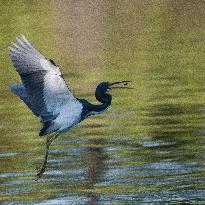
x=149, y=147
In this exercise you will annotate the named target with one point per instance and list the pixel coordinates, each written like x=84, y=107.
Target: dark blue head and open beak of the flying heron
x=106, y=87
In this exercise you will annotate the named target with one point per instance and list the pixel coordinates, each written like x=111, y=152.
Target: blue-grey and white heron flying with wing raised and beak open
x=45, y=92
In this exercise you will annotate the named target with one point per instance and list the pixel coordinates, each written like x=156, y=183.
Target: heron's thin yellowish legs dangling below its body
x=42, y=169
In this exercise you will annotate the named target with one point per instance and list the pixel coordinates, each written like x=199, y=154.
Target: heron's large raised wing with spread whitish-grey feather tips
x=42, y=79
